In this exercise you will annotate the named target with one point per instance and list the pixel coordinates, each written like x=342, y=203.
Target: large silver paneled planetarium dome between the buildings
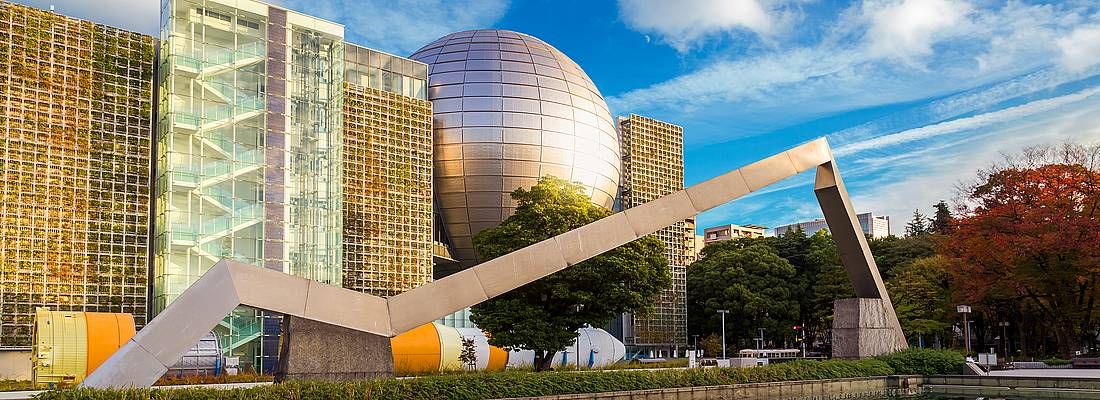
x=509, y=109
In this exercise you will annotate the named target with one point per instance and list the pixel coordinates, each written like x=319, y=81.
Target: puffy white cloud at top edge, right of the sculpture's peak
x=908, y=29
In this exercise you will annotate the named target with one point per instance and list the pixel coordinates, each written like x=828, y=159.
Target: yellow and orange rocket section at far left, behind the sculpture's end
x=69, y=346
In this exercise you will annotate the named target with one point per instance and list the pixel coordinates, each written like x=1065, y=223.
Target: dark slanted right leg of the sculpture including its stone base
x=865, y=327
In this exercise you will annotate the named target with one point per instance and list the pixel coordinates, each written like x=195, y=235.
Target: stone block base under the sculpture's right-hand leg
x=861, y=330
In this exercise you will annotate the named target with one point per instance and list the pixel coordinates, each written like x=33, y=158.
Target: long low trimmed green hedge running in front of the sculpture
x=521, y=384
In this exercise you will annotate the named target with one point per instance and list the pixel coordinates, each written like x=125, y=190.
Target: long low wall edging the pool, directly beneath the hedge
x=800, y=390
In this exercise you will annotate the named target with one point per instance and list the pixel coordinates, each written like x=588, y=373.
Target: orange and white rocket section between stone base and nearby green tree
x=435, y=348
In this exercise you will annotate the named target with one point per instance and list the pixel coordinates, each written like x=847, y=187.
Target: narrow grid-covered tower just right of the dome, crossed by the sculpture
x=653, y=168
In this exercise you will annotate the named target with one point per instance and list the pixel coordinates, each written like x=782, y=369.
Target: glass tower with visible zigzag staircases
x=249, y=152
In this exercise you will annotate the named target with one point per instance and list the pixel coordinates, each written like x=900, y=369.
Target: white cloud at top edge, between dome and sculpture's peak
x=685, y=24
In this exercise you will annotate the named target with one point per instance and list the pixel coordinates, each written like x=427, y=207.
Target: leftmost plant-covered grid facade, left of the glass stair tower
x=75, y=140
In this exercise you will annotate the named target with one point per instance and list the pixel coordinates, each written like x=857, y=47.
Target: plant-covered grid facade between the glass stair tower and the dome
x=387, y=173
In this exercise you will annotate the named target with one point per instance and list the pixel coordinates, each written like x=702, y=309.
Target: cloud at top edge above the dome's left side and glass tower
x=402, y=28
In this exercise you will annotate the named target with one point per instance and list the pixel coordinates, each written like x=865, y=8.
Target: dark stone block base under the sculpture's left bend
x=317, y=351
